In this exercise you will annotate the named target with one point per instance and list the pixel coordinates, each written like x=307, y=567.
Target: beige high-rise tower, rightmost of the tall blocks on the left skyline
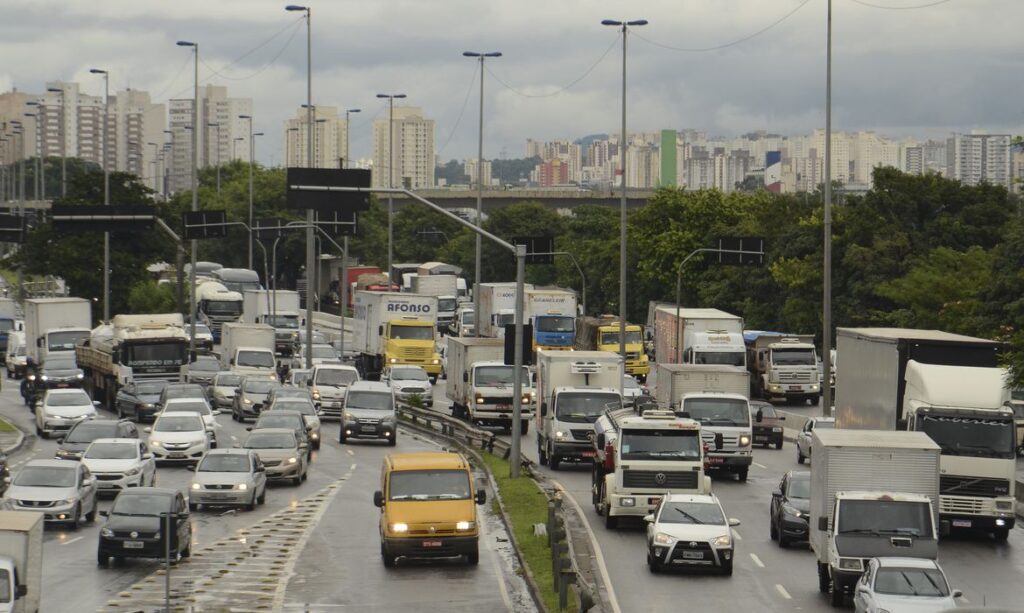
x=413, y=144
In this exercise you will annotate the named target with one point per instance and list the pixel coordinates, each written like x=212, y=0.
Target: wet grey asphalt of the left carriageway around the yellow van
x=312, y=548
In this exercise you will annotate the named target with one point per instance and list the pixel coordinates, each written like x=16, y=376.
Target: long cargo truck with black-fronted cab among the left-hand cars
x=133, y=348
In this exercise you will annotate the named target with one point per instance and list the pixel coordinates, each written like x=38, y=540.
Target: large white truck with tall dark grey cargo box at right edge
x=954, y=389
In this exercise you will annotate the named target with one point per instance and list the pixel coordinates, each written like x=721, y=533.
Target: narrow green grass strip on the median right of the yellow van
x=526, y=505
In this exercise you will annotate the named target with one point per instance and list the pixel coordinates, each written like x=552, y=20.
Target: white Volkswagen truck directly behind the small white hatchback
x=639, y=459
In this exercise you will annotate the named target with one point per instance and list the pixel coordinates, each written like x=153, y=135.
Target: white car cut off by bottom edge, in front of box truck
x=904, y=585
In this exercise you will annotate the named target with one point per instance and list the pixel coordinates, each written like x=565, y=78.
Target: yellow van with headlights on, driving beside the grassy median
x=426, y=502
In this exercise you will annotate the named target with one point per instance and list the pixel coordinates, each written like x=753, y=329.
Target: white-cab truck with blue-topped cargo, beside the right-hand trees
x=783, y=366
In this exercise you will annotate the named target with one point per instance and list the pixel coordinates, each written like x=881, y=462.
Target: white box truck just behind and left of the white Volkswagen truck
x=574, y=389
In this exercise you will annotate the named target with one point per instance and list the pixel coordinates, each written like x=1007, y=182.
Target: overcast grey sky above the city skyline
x=956, y=66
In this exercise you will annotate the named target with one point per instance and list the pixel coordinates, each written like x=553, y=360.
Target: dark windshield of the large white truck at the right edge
x=969, y=436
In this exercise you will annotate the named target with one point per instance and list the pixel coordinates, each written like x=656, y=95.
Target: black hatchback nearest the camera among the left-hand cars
x=137, y=526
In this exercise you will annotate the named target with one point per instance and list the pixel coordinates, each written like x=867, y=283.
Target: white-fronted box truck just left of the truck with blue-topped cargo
x=699, y=337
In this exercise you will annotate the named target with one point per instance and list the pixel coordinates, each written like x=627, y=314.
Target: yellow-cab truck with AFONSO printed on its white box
x=392, y=329
